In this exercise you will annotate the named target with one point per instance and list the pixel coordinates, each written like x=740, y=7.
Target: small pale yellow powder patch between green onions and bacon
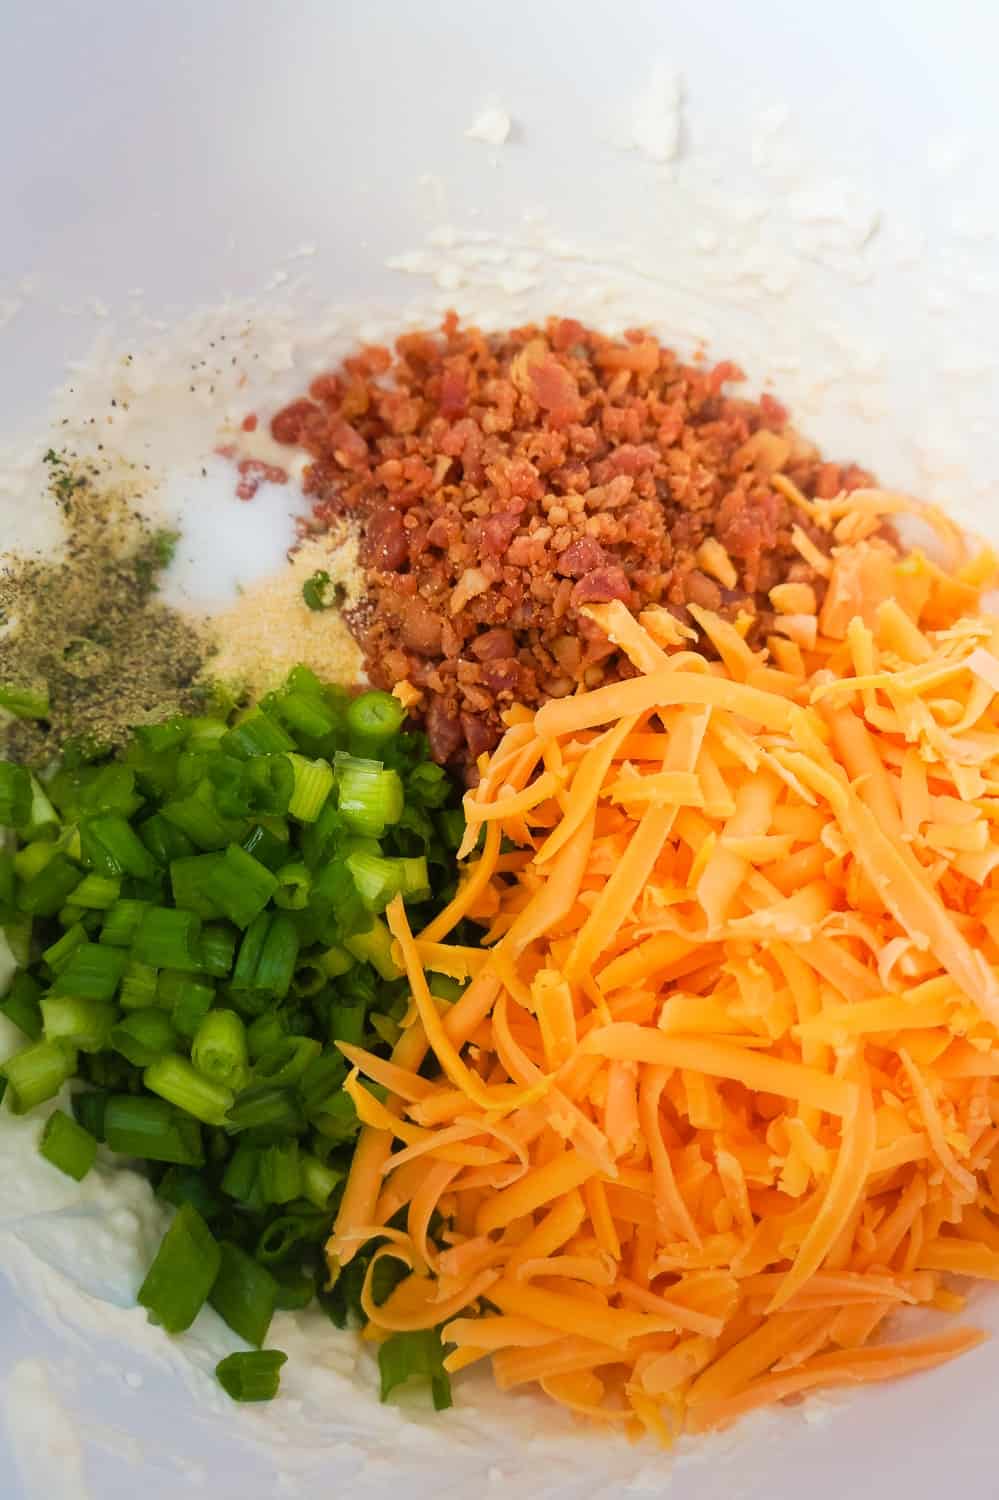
x=271, y=628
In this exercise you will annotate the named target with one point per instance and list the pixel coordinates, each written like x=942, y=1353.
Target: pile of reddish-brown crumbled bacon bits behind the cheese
x=508, y=481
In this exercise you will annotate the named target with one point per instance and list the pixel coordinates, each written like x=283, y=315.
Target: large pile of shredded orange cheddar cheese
x=722, y=1096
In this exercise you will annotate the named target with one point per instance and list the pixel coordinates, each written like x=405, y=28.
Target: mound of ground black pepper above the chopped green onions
x=88, y=649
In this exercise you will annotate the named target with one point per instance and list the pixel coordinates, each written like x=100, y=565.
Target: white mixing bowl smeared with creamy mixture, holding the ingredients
x=808, y=190
